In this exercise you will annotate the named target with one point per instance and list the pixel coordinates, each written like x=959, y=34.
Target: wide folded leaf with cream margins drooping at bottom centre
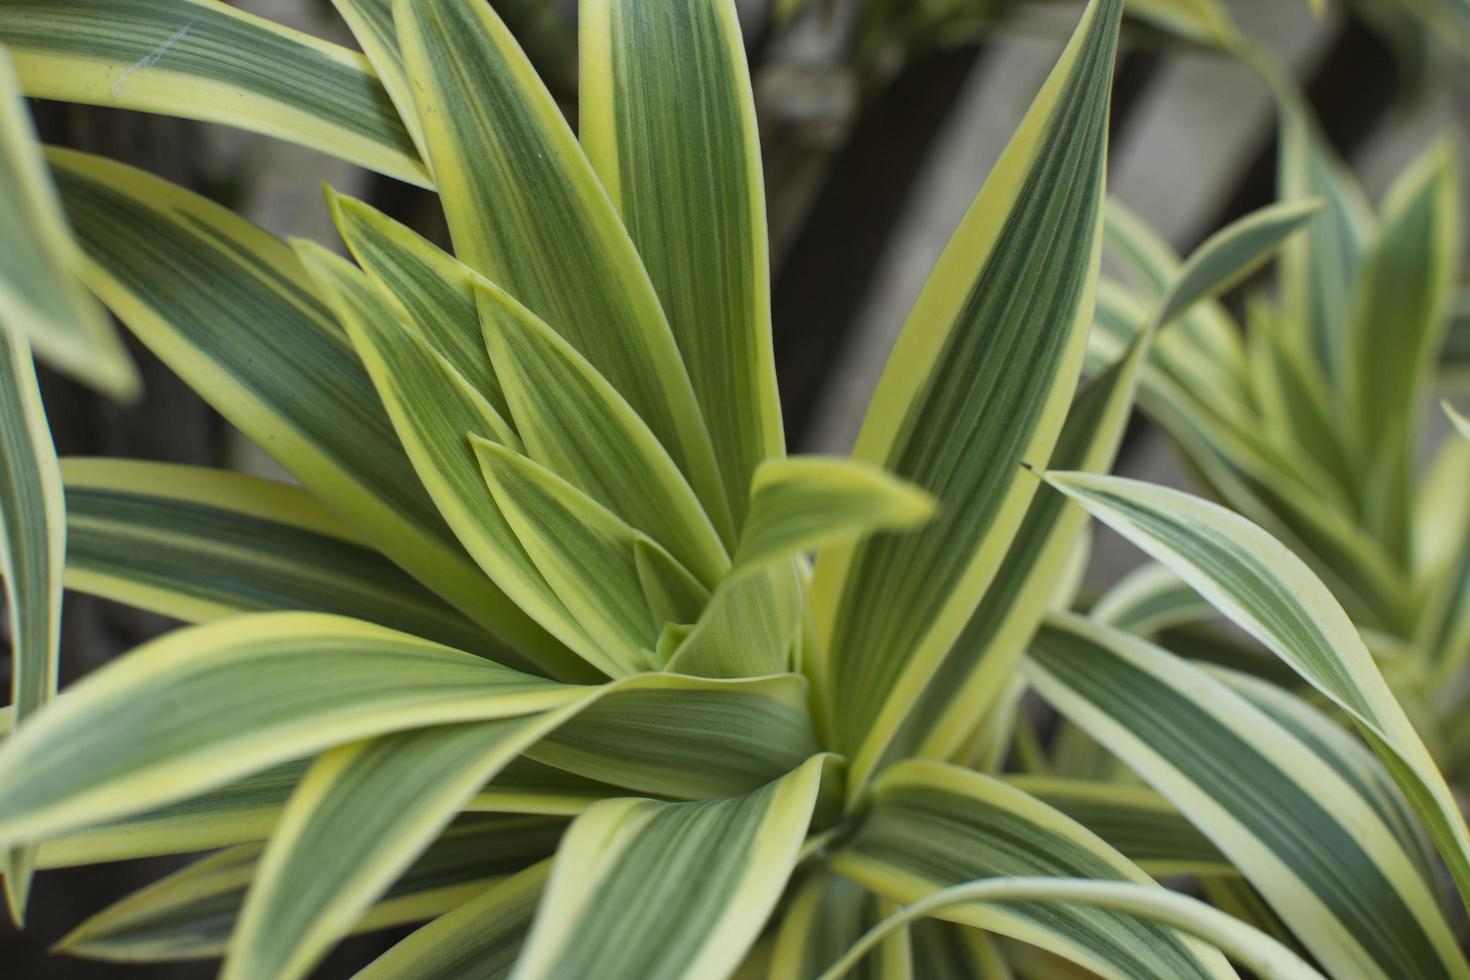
x=695, y=882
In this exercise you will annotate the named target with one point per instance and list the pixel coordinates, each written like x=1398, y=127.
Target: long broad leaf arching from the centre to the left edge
x=208, y=705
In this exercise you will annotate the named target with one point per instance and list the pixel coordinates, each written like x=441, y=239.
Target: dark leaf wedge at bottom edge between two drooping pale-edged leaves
x=477, y=941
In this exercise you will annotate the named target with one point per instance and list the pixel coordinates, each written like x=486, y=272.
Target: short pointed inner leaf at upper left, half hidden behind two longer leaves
x=433, y=289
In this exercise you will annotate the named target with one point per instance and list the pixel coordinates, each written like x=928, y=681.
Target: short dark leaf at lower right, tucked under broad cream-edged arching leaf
x=1144, y=826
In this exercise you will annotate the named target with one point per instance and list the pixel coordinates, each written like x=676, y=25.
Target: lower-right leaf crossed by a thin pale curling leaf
x=931, y=826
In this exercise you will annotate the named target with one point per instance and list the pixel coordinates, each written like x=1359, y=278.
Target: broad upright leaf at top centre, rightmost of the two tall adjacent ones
x=670, y=124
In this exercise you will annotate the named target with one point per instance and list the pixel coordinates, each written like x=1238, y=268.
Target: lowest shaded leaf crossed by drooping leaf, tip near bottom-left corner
x=193, y=913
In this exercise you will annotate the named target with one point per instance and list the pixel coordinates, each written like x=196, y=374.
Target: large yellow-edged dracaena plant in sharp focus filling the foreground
x=534, y=653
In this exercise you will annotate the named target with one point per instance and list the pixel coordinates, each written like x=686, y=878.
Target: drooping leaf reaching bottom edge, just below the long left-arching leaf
x=358, y=821
